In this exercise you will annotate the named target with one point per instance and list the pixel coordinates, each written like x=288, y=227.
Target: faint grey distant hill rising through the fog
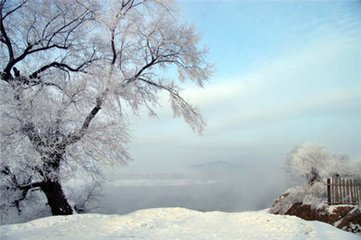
x=217, y=169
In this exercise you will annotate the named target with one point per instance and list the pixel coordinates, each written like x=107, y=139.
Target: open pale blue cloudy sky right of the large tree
x=286, y=73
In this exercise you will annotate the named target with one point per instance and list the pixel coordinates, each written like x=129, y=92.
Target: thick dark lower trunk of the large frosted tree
x=56, y=199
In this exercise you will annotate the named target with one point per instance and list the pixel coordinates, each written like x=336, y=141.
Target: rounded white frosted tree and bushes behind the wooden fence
x=313, y=162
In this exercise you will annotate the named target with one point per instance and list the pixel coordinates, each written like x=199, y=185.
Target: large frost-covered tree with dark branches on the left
x=70, y=70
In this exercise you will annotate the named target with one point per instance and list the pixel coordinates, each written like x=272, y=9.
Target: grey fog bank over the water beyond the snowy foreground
x=216, y=186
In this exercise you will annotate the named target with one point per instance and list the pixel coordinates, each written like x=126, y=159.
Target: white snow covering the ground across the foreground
x=174, y=223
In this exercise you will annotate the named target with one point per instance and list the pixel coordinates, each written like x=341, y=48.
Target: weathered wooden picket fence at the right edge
x=343, y=191
